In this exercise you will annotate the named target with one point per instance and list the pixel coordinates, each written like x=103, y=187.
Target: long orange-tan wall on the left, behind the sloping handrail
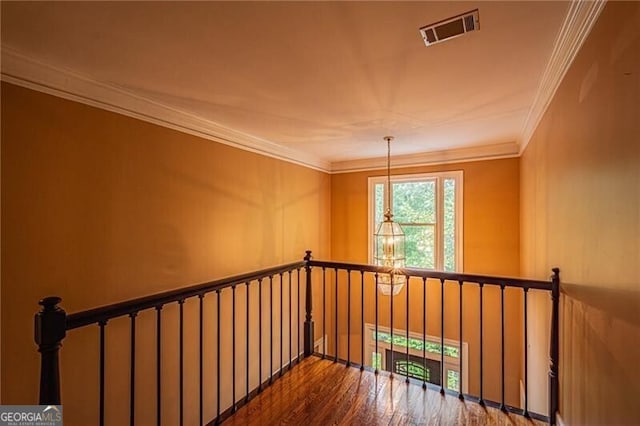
x=99, y=207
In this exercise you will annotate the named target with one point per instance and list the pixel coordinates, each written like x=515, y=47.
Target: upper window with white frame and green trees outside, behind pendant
x=429, y=209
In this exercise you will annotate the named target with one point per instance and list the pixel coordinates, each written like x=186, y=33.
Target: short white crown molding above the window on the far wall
x=460, y=155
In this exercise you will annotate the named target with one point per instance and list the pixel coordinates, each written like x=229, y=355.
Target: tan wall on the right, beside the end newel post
x=580, y=188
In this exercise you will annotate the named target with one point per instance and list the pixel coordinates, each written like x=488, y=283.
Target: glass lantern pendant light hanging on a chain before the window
x=389, y=242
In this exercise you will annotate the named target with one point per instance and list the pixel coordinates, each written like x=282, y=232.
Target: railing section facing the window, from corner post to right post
x=417, y=282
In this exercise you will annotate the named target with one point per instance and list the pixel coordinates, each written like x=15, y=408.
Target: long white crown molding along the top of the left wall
x=26, y=72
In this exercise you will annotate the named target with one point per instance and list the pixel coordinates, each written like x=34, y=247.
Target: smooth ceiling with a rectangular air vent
x=325, y=80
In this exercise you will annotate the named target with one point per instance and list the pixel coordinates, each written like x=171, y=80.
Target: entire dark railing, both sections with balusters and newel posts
x=52, y=324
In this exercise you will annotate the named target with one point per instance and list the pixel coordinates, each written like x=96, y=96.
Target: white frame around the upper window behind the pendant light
x=439, y=234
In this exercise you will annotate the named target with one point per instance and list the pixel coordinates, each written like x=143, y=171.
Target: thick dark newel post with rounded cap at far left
x=50, y=329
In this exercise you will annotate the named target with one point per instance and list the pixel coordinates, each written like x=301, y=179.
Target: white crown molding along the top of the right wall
x=580, y=18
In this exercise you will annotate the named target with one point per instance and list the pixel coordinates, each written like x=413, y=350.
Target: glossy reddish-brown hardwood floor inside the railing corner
x=321, y=392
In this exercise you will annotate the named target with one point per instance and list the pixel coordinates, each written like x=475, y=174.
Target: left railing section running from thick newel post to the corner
x=52, y=323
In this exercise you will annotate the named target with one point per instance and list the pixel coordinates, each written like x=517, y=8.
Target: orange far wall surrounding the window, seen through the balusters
x=491, y=246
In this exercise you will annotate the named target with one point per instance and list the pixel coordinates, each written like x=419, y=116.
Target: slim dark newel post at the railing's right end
x=554, y=347
